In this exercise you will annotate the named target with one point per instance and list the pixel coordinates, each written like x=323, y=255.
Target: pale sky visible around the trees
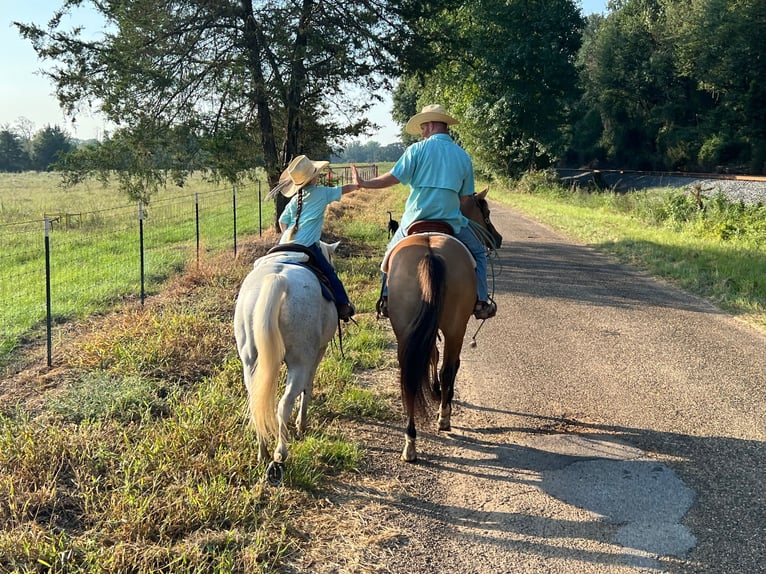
x=25, y=93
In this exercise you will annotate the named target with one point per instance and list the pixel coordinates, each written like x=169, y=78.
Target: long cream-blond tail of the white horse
x=271, y=353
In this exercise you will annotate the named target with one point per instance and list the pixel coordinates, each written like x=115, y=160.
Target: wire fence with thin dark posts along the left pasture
x=73, y=264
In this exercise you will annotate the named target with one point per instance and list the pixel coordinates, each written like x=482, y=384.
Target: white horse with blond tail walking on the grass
x=281, y=316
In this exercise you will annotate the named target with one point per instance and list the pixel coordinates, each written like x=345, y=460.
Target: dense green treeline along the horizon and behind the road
x=651, y=85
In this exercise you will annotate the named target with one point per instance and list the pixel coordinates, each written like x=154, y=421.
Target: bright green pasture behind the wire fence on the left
x=98, y=250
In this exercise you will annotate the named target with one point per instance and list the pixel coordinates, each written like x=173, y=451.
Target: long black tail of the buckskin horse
x=415, y=353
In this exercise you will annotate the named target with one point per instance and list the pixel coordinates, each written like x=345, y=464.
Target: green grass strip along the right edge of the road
x=718, y=253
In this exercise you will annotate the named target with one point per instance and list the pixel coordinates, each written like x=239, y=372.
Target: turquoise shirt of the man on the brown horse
x=438, y=171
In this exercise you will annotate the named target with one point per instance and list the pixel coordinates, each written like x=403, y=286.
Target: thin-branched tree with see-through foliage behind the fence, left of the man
x=275, y=74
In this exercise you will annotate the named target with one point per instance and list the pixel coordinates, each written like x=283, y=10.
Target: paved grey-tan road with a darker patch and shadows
x=605, y=423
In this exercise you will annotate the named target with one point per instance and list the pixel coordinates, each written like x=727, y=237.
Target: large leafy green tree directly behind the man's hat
x=506, y=69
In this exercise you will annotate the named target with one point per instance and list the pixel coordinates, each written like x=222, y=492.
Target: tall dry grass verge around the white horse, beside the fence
x=140, y=458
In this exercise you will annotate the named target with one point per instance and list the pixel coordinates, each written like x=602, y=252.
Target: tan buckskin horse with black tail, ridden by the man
x=432, y=290
